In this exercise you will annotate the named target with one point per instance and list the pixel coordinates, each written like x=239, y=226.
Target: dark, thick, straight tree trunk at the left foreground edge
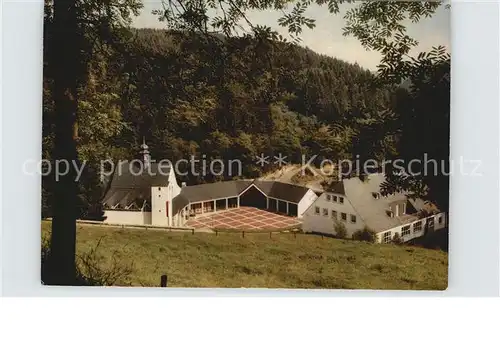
x=66, y=58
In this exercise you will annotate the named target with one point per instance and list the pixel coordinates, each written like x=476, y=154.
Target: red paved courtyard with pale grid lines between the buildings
x=248, y=218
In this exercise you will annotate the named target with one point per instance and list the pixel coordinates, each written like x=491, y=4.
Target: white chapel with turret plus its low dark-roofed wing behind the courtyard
x=147, y=193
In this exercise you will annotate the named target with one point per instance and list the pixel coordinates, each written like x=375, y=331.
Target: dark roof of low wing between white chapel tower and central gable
x=211, y=191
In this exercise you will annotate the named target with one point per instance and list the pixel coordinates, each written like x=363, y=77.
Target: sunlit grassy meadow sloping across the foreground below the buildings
x=283, y=261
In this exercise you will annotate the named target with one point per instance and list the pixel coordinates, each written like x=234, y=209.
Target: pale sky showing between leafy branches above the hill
x=326, y=38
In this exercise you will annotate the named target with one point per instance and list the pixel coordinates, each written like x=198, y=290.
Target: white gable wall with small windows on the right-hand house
x=325, y=224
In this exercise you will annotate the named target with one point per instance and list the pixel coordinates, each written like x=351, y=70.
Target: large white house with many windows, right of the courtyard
x=358, y=203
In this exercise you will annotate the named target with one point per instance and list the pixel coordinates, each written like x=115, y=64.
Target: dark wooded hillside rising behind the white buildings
x=225, y=98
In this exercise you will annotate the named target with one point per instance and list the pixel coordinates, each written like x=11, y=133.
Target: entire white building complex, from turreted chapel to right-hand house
x=142, y=193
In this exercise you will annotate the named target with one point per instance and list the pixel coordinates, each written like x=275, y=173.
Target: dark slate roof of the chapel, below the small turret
x=128, y=184
